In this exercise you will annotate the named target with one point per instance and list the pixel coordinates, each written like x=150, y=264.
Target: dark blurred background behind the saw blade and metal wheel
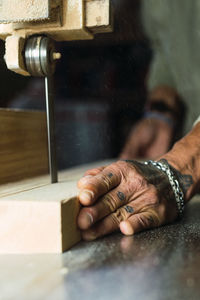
x=100, y=88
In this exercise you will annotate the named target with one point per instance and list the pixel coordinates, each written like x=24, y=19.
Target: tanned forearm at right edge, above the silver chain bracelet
x=185, y=158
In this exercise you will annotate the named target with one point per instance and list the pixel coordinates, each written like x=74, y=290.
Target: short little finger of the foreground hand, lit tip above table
x=140, y=222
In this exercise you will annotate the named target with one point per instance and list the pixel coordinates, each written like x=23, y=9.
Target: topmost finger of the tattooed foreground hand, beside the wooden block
x=94, y=187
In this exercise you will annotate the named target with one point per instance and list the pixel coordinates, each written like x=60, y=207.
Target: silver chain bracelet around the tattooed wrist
x=178, y=193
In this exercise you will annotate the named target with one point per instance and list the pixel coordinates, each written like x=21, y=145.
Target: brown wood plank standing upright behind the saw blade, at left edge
x=23, y=144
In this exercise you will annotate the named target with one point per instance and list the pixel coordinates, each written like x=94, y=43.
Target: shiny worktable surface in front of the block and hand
x=159, y=264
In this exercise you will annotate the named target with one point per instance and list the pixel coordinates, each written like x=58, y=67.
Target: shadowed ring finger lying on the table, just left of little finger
x=108, y=225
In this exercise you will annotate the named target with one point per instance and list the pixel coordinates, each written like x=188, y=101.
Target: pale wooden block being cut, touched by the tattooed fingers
x=40, y=220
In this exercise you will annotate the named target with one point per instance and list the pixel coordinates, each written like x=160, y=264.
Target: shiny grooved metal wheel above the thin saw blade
x=40, y=56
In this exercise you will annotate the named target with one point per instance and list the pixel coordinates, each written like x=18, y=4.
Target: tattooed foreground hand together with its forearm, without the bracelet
x=132, y=197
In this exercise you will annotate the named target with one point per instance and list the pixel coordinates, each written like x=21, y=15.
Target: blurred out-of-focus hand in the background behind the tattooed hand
x=150, y=138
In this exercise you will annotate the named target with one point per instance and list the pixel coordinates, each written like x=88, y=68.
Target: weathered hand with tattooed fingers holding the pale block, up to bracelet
x=125, y=195
